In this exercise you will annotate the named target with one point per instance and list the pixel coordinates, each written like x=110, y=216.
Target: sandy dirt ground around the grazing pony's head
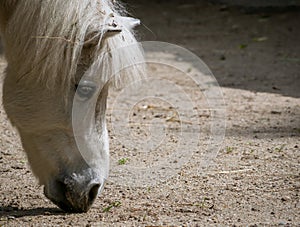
x=255, y=178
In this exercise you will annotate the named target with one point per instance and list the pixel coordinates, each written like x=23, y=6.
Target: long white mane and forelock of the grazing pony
x=45, y=42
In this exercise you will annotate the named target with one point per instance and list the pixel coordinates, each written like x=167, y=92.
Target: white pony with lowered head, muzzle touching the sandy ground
x=49, y=46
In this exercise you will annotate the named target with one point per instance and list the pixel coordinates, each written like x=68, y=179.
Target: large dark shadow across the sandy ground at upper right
x=257, y=52
